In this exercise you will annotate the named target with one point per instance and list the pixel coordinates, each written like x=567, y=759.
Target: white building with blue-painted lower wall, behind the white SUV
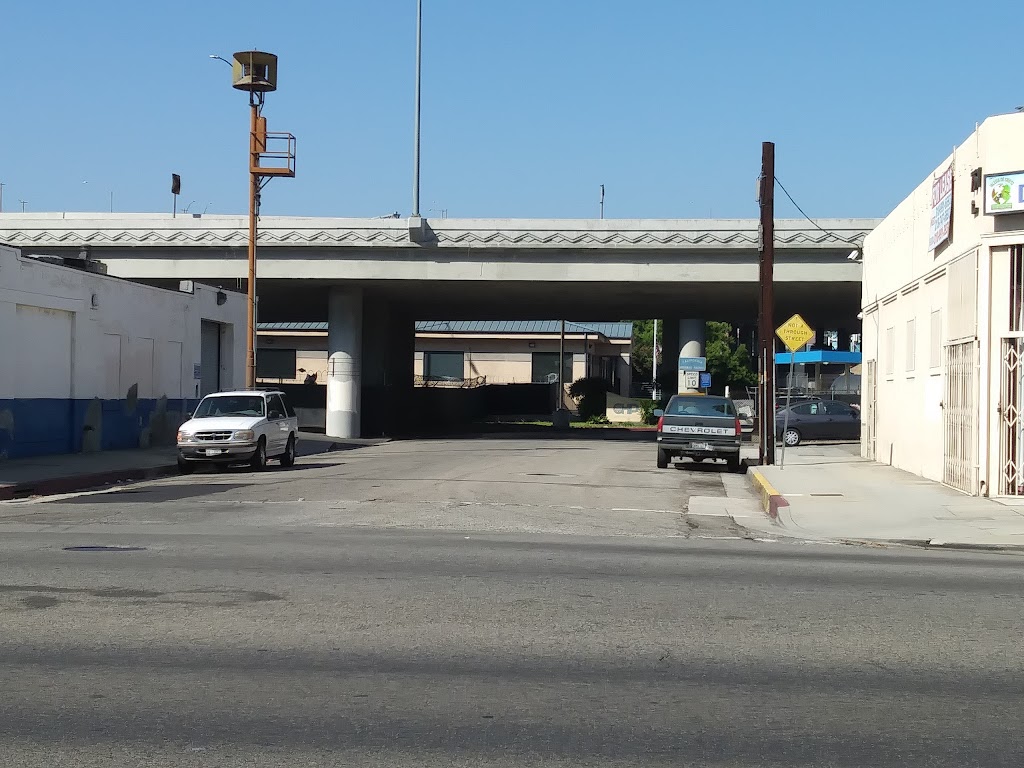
x=92, y=363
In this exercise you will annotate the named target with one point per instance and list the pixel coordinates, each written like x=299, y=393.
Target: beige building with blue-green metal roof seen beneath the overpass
x=462, y=353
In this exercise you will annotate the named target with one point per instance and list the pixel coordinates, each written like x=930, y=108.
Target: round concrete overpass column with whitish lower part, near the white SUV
x=345, y=349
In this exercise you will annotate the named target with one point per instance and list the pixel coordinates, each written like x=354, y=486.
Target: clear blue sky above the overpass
x=528, y=106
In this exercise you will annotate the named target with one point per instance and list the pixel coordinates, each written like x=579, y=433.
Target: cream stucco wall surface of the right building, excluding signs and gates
x=917, y=303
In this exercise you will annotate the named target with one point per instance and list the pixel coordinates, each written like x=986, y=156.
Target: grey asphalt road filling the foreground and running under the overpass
x=489, y=604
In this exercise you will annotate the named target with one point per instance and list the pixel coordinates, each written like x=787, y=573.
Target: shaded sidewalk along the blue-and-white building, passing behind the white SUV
x=64, y=474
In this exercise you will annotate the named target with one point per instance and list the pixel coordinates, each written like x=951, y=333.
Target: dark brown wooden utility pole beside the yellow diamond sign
x=766, y=308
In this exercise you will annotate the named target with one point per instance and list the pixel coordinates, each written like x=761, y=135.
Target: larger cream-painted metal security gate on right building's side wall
x=960, y=417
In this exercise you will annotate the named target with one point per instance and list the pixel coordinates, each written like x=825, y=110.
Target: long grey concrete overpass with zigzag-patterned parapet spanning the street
x=371, y=279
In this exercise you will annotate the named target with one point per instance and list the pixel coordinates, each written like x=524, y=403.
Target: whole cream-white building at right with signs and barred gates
x=944, y=321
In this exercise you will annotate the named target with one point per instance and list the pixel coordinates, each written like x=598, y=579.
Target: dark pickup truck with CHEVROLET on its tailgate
x=699, y=428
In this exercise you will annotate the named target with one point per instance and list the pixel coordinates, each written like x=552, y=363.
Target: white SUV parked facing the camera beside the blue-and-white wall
x=248, y=426
